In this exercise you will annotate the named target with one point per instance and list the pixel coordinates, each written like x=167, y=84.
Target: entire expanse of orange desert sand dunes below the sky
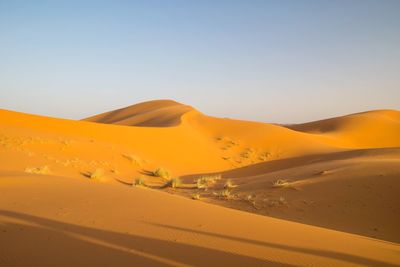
x=83, y=193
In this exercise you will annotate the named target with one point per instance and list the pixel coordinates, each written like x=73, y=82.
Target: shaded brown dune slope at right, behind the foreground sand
x=337, y=190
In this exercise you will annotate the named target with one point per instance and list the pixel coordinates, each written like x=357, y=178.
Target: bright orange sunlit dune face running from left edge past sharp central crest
x=198, y=144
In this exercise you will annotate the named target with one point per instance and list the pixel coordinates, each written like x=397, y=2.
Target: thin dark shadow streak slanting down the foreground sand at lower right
x=324, y=253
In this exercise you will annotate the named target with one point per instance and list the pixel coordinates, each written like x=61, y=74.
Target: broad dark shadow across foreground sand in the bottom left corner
x=48, y=242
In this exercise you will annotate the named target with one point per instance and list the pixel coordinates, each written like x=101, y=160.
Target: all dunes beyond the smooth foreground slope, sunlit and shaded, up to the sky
x=340, y=168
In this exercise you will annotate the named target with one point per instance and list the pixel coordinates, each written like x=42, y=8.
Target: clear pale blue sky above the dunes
x=274, y=61
